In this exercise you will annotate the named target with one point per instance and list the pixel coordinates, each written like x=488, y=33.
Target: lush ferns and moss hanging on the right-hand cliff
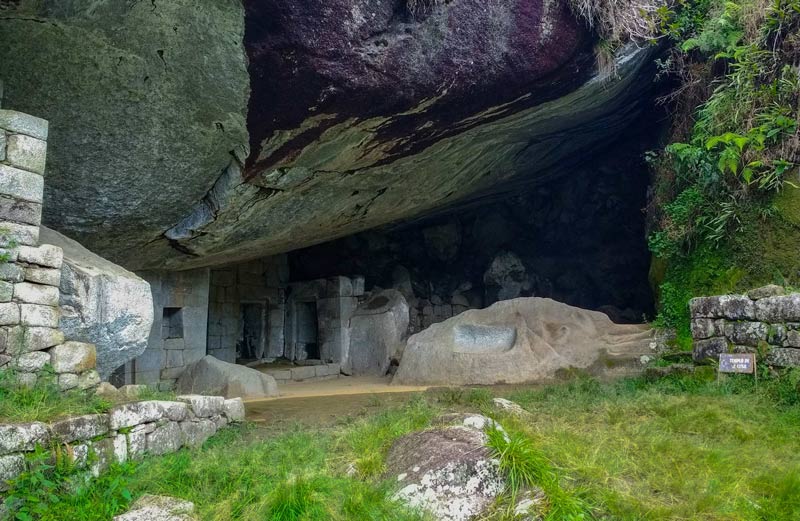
x=725, y=188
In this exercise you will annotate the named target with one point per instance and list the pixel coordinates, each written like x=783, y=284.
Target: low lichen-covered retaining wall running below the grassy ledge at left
x=127, y=432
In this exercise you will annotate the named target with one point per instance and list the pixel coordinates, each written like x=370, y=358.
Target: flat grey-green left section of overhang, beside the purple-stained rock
x=146, y=103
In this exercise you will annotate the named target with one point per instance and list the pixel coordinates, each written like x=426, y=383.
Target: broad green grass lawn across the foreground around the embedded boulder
x=684, y=447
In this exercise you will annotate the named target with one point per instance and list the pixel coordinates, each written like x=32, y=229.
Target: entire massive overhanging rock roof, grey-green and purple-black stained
x=361, y=114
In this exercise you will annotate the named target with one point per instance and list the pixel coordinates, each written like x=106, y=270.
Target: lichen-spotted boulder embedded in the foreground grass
x=447, y=471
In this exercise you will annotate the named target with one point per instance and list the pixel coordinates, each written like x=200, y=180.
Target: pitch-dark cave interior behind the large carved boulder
x=580, y=239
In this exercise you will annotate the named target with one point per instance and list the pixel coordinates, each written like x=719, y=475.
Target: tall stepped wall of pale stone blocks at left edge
x=30, y=338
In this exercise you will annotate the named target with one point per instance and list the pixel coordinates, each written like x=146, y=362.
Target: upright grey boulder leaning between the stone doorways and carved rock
x=377, y=330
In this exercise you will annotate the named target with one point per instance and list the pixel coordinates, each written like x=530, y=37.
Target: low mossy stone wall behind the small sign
x=764, y=320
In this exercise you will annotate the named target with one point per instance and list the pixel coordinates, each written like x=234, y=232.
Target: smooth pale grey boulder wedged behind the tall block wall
x=102, y=304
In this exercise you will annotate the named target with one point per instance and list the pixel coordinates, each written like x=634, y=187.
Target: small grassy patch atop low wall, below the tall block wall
x=43, y=401
